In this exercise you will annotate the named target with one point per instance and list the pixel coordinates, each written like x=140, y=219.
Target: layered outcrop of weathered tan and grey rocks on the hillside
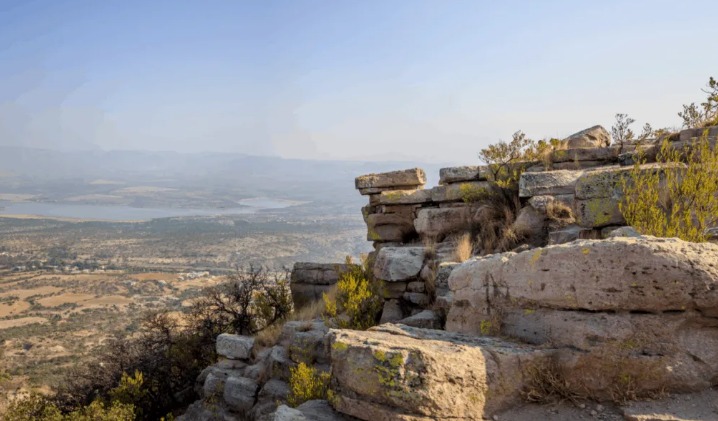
x=612, y=314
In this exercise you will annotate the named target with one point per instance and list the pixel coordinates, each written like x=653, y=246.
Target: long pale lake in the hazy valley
x=129, y=213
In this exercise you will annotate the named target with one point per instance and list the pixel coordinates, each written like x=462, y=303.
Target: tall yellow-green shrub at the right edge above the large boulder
x=678, y=201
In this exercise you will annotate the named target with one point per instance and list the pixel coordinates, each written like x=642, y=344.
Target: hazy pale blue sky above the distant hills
x=389, y=79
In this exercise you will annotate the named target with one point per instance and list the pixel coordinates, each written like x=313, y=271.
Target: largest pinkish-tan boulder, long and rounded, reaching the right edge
x=626, y=274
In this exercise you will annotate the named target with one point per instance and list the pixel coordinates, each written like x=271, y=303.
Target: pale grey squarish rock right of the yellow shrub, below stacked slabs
x=398, y=263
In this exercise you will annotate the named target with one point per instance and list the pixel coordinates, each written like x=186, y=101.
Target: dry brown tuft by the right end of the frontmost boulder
x=546, y=384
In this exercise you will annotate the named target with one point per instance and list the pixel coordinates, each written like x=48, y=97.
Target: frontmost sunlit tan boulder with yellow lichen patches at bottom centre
x=394, y=372
